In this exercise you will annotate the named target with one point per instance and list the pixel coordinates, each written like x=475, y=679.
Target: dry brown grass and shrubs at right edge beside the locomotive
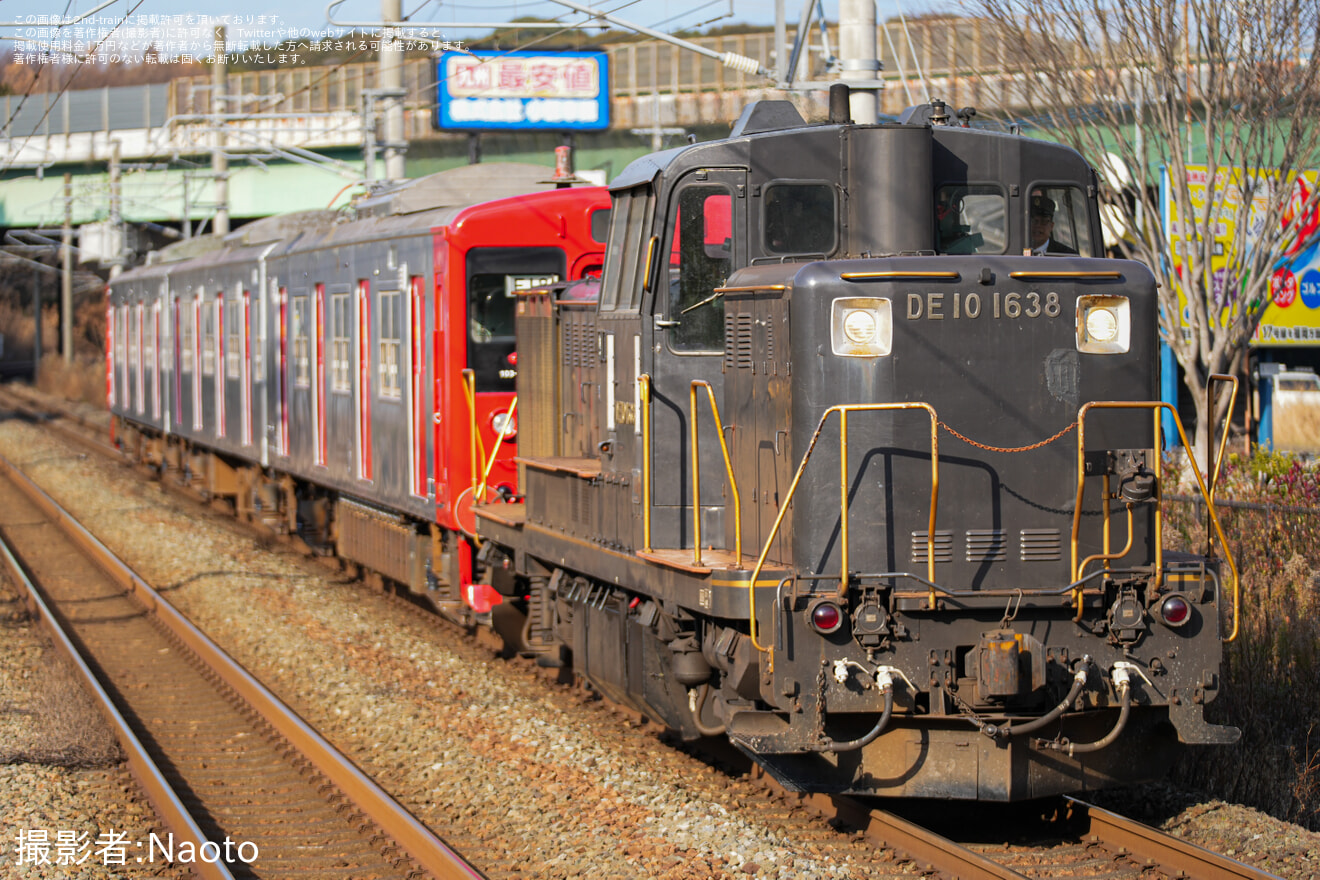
x=1272, y=688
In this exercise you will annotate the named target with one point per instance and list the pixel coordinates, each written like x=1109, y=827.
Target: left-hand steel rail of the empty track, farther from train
x=148, y=775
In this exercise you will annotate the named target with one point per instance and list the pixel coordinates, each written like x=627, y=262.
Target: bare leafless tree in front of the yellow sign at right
x=1235, y=85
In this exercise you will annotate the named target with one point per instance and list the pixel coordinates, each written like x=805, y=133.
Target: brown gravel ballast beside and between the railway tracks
x=555, y=791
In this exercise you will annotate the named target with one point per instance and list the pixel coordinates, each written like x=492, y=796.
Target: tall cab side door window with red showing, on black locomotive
x=700, y=261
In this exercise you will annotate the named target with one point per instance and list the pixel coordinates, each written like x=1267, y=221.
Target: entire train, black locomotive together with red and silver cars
x=851, y=455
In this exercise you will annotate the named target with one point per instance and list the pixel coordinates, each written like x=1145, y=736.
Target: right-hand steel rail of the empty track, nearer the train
x=426, y=849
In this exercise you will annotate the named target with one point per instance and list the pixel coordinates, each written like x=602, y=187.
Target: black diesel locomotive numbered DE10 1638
x=853, y=458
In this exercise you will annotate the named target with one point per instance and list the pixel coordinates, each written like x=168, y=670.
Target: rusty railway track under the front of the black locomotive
x=1063, y=838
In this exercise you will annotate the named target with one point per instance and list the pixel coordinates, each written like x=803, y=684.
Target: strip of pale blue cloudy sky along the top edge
x=181, y=26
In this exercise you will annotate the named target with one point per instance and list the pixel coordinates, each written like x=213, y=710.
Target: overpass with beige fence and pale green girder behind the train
x=295, y=137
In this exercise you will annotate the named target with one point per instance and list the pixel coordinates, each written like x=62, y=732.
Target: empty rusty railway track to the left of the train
x=245, y=787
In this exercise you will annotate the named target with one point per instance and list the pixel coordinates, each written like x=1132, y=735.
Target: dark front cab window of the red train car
x=494, y=279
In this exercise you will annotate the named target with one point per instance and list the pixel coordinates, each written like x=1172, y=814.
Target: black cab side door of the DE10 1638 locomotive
x=703, y=243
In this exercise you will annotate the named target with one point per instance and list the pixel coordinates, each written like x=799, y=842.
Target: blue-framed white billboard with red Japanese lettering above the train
x=482, y=92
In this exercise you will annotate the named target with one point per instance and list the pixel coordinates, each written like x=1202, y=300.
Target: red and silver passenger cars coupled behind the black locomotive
x=352, y=378
